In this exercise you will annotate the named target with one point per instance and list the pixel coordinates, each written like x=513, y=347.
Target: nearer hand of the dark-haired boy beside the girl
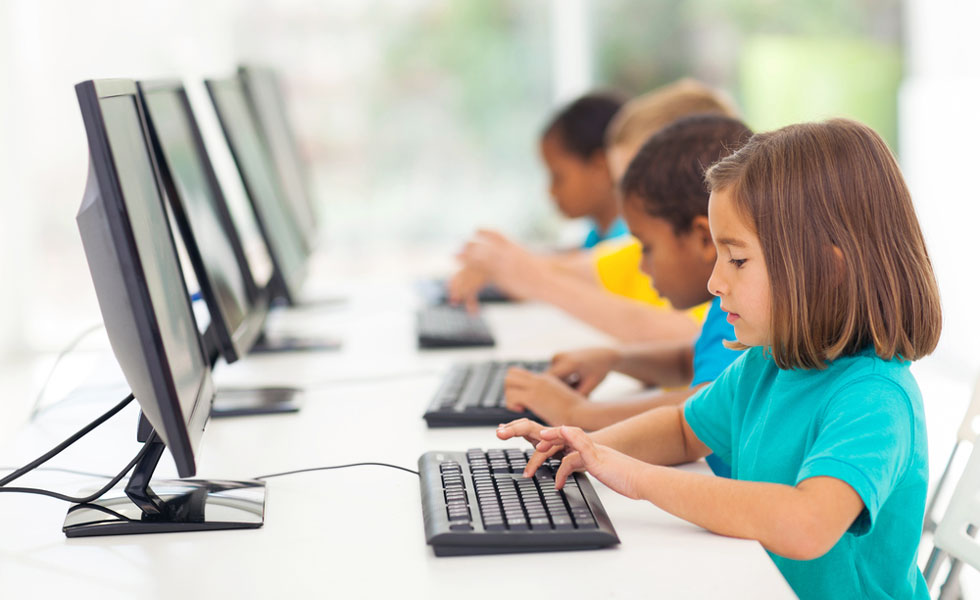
x=543, y=394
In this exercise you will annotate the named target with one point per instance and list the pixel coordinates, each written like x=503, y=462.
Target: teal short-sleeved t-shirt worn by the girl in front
x=861, y=421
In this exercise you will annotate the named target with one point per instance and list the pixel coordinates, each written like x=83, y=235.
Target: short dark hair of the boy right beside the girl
x=667, y=174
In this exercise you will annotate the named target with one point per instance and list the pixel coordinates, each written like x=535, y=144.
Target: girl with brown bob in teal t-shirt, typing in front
x=824, y=274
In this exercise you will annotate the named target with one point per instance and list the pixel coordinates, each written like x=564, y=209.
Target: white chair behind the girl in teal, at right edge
x=953, y=534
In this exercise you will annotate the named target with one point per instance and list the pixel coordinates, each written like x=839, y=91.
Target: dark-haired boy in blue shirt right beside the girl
x=666, y=206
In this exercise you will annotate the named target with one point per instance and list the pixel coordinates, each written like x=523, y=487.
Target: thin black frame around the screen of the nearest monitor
x=181, y=433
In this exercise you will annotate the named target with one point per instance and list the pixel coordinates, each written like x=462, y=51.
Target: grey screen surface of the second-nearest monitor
x=199, y=208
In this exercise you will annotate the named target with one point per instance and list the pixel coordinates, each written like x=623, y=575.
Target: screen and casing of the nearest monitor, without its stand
x=136, y=270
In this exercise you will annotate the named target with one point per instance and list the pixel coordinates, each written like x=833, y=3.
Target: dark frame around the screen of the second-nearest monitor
x=233, y=342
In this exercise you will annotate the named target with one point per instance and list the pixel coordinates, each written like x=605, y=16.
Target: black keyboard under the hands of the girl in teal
x=479, y=503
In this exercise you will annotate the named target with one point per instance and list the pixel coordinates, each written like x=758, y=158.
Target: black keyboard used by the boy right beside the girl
x=473, y=394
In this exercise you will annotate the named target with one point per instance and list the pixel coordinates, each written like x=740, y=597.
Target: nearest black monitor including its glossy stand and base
x=147, y=312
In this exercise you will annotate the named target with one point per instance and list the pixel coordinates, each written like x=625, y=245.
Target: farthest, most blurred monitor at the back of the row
x=264, y=93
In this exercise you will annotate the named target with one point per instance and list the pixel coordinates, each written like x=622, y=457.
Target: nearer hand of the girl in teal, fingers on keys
x=618, y=471
